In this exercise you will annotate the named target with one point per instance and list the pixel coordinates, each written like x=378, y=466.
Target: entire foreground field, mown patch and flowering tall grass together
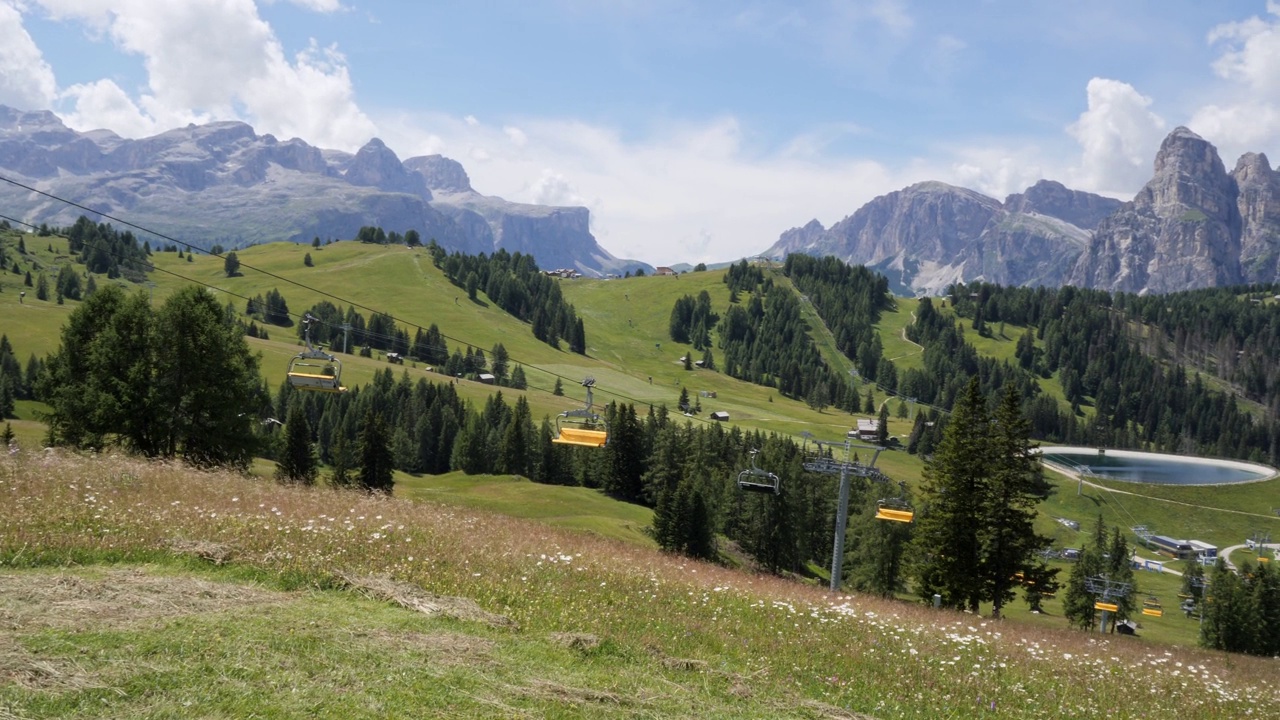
x=136, y=590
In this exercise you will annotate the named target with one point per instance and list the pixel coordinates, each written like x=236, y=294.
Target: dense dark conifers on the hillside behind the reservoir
x=1107, y=356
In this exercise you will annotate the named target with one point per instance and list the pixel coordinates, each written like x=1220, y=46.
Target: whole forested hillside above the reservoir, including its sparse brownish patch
x=1148, y=372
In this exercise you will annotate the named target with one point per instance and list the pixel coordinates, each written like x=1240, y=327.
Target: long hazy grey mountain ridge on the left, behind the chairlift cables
x=225, y=184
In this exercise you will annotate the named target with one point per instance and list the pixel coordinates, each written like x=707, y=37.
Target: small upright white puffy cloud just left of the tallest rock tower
x=1118, y=135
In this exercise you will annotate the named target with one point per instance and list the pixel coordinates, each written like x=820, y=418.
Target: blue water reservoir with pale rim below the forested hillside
x=1136, y=467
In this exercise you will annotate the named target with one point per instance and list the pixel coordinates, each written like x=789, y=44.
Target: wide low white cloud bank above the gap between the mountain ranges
x=687, y=193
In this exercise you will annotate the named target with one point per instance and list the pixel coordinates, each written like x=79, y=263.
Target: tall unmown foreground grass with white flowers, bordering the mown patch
x=721, y=642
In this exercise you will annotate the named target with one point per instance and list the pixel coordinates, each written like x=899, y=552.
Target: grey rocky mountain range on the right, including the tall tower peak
x=1192, y=226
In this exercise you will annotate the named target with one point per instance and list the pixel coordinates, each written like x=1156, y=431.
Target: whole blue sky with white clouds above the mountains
x=693, y=131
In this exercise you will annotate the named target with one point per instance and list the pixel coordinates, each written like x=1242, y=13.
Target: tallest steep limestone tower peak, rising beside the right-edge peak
x=1181, y=233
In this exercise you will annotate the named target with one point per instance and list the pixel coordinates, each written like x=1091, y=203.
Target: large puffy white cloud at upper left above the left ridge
x=213, y=61
